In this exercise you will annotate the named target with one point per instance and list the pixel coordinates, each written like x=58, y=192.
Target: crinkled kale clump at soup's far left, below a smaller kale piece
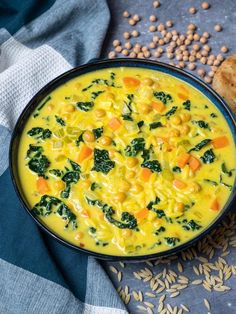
x=38, y=162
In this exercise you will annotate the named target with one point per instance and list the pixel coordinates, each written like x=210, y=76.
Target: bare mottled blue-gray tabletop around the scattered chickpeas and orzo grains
x=223, y=12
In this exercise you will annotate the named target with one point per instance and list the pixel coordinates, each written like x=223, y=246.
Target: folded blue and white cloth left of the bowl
x=39, y=275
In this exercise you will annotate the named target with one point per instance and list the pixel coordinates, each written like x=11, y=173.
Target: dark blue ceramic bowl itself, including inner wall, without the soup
x=103, y=64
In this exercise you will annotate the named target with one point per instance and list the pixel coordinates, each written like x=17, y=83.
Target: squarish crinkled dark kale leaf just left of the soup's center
x=102, y=162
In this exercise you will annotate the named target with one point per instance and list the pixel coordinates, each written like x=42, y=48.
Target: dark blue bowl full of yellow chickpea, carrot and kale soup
x=125, y=159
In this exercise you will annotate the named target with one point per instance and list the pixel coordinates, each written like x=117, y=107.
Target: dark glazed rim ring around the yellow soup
x=68, y=75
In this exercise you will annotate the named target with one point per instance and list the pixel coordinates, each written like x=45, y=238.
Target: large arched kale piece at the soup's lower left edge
x=46, y=206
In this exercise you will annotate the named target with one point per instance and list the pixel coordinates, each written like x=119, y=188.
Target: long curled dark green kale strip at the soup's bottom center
x=128, y=221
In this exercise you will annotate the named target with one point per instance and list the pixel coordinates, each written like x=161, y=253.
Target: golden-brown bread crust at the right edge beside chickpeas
x=224, y=81
